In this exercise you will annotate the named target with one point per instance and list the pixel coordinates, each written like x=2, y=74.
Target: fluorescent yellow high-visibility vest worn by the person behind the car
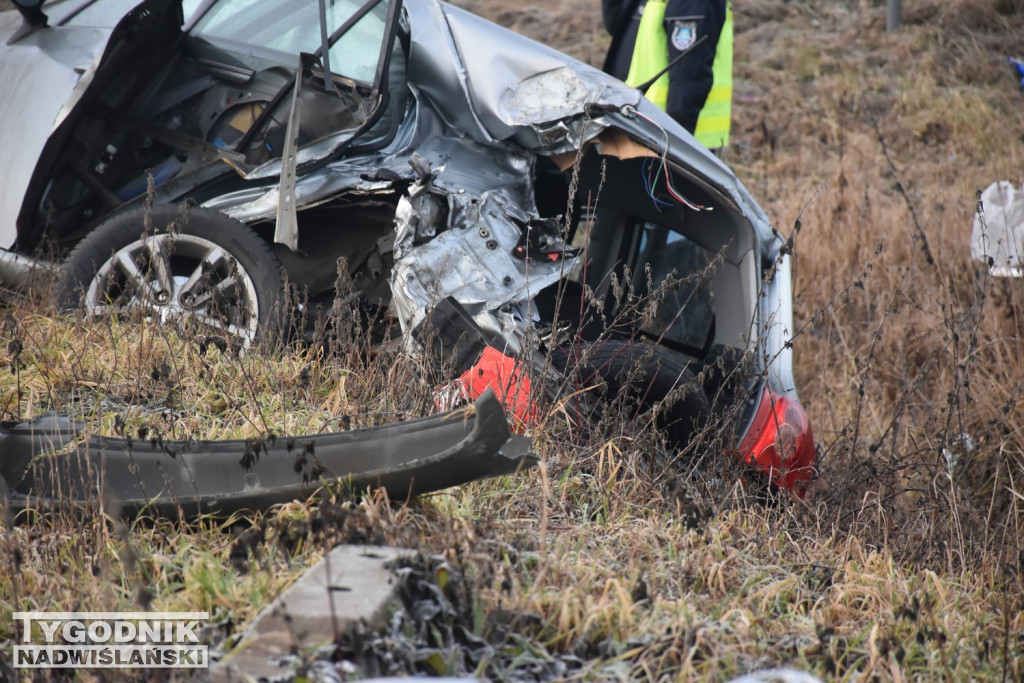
x=652, y=56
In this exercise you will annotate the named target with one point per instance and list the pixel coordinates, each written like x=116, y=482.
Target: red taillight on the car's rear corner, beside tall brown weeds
x=781, y=444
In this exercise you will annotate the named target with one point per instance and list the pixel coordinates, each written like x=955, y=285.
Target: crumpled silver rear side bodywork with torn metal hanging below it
x=487, y=103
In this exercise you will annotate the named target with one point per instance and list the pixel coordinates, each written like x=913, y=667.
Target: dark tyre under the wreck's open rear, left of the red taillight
x=639, y=378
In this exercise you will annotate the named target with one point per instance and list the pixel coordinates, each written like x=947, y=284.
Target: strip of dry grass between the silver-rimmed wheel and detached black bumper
x=139, y=378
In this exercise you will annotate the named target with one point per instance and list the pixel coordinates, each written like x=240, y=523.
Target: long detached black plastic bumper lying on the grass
x=44, y=462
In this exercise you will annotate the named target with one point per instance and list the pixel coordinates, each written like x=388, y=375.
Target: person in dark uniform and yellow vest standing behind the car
x=648, y=35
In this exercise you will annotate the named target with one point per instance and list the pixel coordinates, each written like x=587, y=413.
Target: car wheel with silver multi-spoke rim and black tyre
x=186, y=265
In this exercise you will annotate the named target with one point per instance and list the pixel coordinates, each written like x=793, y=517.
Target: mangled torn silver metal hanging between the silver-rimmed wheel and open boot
x=473, y=258
